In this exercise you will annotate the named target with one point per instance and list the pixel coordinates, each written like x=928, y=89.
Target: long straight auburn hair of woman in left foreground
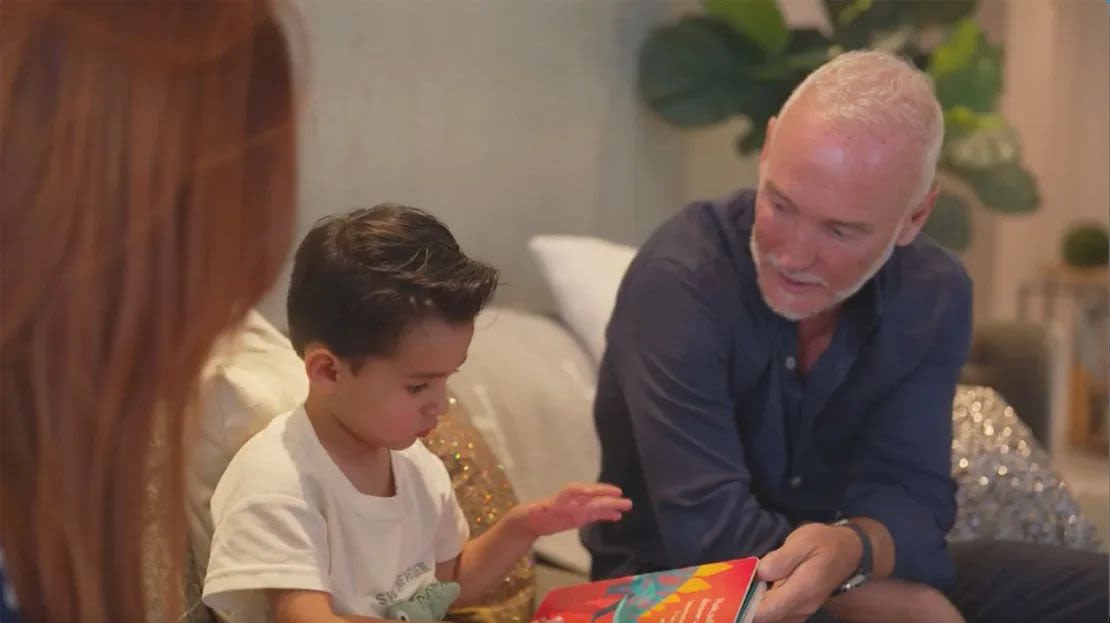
x=147, y=198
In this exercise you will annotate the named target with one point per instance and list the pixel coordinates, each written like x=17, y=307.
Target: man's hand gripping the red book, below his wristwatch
x=813, y=561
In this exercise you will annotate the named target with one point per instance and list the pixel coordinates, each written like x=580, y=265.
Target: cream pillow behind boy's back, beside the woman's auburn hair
x=253, y=378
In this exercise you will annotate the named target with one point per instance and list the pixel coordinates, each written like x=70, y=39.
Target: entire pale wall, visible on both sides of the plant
x=510, y=119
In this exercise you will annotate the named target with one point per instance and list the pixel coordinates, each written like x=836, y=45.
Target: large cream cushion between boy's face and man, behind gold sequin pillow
x=529, y=387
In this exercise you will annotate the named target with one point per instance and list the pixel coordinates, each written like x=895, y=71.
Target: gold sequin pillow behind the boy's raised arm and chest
x=485, y=495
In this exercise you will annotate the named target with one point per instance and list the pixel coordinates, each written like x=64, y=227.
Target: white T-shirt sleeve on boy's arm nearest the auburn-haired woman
x=268, y=541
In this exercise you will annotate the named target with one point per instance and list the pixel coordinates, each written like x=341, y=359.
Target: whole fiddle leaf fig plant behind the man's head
x=740, y=59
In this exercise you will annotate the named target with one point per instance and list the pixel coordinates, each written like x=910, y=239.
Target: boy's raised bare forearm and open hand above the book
x=487, y=560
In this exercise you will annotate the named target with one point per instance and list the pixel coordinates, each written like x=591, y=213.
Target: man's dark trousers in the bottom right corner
x=1006, y=582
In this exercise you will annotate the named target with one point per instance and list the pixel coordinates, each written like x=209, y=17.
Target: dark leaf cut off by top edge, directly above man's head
x=857, y=23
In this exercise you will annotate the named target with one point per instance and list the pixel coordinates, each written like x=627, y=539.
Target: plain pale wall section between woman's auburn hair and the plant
x=503, y=118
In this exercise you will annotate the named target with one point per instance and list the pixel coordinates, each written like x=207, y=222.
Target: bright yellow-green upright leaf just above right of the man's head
x=967, y=69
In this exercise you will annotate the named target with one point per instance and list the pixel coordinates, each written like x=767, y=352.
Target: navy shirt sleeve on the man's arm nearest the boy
x=671, y=354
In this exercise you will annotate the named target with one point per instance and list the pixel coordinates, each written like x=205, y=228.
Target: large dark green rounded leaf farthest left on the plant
x=701, y=72
